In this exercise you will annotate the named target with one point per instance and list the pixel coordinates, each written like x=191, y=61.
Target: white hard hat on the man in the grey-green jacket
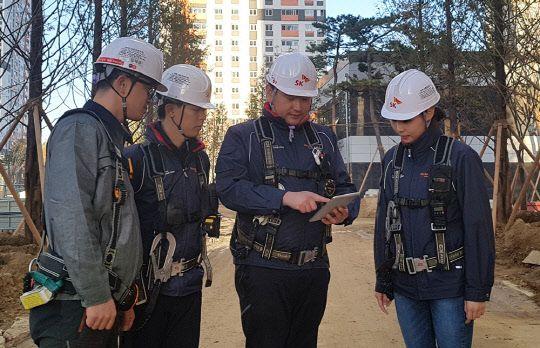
x=133, y=56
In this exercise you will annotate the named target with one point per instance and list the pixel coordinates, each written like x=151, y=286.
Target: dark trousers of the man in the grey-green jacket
x=56, y=325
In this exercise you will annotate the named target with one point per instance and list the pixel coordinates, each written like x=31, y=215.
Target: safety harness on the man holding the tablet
x=270, y=223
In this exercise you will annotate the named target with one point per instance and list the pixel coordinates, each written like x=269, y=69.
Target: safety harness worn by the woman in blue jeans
x=440, y=194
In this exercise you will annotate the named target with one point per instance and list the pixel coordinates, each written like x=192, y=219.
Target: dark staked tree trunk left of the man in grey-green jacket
x=33, y=202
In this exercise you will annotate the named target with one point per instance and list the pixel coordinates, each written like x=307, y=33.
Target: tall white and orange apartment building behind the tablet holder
x=244, y=36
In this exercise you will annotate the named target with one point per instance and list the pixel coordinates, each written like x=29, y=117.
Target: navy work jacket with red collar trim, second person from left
x=182, y=193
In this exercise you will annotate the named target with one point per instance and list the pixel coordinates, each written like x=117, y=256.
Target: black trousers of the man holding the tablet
x=281, y=308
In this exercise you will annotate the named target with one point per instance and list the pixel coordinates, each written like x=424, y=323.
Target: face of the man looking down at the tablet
x=293, y=109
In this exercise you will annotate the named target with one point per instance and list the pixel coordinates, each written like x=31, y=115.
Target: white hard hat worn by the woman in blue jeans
x=409, y=94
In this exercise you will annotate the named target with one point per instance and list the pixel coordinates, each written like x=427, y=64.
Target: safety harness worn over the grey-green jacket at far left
x=52, y=265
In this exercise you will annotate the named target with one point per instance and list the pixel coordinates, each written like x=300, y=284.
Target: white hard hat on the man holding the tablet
x=294, y=74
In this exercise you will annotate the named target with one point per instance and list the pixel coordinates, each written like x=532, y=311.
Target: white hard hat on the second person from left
x=188, y=84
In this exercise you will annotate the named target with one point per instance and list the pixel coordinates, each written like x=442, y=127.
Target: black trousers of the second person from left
x=175, y=322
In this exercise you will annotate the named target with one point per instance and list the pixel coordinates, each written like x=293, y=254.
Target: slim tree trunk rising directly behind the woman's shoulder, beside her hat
x=452, y=113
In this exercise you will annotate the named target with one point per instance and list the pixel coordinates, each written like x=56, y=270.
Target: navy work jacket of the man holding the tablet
x=240, y=185
